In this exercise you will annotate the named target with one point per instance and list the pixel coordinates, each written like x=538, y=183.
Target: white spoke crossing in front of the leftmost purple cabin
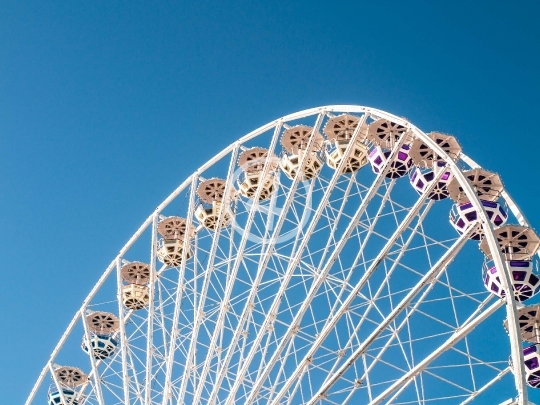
x=323, y=273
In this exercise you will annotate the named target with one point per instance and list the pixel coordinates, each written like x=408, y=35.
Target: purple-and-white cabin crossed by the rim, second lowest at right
x=525, y=282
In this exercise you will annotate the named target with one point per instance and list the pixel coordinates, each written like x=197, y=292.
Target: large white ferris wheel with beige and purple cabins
x=337, y=255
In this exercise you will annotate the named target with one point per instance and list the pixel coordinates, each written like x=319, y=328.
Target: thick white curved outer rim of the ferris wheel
x=511, y=305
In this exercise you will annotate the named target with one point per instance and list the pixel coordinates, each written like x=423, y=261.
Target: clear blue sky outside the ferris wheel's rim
x=106, y=106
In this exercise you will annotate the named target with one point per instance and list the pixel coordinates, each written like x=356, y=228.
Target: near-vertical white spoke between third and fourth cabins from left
x=150, y=333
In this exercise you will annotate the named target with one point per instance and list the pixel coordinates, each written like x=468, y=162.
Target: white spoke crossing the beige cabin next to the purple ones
x=298, y=255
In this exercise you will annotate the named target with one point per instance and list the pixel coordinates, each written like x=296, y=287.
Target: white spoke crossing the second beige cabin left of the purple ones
x=263, y=262
